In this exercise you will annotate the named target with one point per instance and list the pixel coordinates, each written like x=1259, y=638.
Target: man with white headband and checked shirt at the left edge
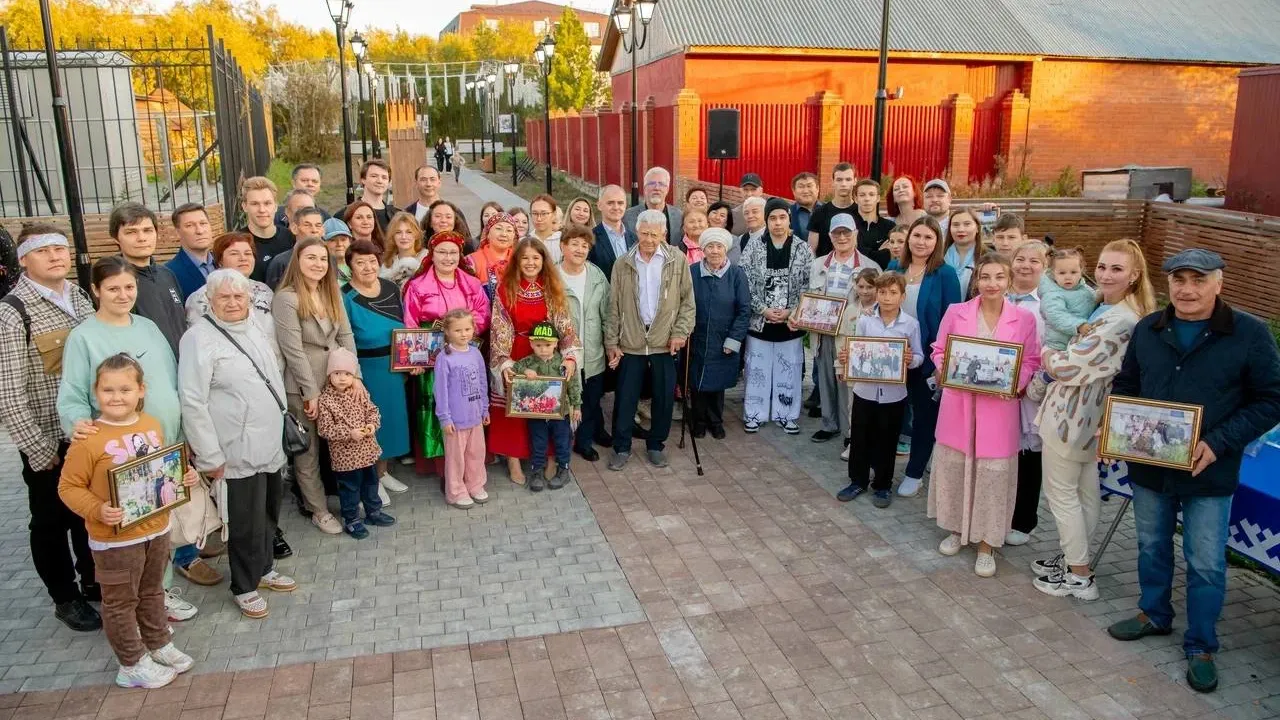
x=35, y=321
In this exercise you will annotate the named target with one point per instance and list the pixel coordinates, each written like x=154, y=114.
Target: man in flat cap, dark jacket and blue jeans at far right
x=1199, y=352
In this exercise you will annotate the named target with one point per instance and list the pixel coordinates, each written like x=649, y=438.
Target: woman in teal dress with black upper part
x=376, y=309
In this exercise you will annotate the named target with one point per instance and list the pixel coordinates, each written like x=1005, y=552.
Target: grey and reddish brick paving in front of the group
x=748, y=593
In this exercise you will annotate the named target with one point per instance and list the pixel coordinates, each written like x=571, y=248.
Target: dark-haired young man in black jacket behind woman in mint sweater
x=134, y=229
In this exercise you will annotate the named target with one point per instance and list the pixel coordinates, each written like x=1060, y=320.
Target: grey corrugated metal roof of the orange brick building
x=1214, y=31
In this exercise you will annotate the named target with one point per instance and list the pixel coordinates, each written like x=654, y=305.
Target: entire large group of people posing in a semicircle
x=268, y=352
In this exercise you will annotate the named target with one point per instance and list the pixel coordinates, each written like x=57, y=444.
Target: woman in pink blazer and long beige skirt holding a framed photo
x=975, y=480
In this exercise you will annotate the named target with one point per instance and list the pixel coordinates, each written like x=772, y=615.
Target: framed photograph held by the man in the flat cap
x=1150, y=432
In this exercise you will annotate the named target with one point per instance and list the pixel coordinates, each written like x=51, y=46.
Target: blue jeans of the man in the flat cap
x=1205, y=550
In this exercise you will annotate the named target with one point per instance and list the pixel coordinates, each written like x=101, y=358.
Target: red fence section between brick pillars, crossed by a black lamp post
x=917, y=139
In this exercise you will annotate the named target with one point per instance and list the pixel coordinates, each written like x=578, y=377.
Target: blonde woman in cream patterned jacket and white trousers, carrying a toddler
x=1071, y=416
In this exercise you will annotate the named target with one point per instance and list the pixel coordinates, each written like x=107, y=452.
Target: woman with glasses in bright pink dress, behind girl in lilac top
x=438, y=288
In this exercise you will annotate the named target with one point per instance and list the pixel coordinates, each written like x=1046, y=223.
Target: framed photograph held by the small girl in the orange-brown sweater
x=149, y=485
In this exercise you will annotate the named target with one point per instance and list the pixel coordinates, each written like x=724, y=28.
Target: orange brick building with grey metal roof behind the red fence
x=1045, y=84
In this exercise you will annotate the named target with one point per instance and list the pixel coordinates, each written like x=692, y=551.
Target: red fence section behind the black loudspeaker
x=775, y=142
